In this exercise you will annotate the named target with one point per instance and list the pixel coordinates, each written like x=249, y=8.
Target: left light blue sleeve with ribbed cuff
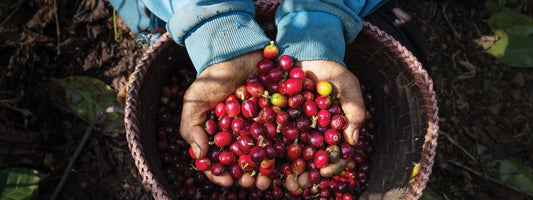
x=213, y=31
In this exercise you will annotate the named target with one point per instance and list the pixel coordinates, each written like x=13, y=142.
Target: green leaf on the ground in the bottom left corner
x=18, y=184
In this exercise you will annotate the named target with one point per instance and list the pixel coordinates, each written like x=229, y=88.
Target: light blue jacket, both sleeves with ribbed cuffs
x=215, y=30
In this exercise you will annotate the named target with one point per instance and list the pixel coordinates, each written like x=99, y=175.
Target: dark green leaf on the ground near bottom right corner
x=511, y=171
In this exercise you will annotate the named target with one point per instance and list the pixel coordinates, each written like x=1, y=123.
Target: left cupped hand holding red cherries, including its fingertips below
x=212, y=86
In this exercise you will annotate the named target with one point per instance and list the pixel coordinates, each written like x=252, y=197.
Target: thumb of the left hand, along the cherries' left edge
x=193, y=115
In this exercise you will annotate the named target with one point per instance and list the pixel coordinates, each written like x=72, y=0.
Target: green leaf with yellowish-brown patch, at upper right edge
x=515, y=46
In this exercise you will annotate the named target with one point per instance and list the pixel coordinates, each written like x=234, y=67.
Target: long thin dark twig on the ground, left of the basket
x=80, y=147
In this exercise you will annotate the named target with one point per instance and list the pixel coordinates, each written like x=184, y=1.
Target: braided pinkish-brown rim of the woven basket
x=422, y=80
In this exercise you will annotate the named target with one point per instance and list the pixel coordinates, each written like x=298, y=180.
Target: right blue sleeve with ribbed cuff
x=320, y=30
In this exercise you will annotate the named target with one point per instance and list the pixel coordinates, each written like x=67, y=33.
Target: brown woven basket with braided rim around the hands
x=406, y=113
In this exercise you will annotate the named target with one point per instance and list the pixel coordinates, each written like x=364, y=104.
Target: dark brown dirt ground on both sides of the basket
x=481, y=101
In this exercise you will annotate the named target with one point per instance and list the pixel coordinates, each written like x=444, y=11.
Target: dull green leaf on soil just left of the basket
x=89, y=96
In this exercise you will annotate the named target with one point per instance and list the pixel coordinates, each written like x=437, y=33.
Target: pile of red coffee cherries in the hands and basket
x=280, y=124
